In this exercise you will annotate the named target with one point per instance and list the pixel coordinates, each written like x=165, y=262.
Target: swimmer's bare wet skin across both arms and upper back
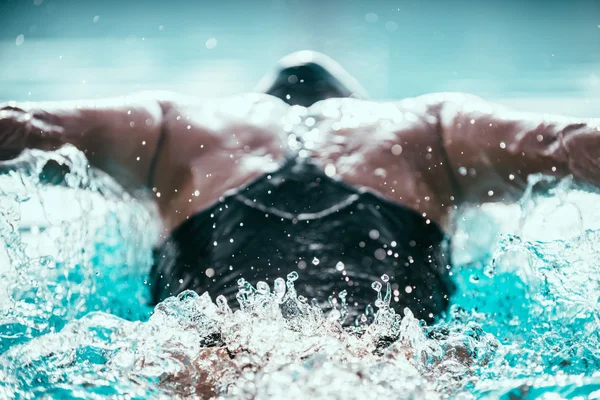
x=395, y=148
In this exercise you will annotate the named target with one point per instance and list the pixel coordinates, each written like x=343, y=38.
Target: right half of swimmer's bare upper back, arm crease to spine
x=392, y=148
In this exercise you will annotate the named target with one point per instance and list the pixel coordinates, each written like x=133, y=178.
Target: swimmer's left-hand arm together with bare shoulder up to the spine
x=209, y=145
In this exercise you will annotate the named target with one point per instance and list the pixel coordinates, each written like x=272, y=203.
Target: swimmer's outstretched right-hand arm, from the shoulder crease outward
x=493, y=149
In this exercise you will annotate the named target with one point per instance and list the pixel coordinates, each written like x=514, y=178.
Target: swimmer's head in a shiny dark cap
x=305, y=77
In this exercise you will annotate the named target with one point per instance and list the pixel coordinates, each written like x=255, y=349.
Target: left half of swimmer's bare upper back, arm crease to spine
x=213, y=146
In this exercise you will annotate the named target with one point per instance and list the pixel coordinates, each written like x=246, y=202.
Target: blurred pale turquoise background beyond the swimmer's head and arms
x=539, y=55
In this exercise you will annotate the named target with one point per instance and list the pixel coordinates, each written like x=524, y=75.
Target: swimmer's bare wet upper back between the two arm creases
x=211, y=147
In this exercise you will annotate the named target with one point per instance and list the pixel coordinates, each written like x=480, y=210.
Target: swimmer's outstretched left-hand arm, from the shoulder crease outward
x=117, y=135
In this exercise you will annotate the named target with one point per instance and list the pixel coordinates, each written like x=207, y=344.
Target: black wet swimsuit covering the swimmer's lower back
x=300, y=219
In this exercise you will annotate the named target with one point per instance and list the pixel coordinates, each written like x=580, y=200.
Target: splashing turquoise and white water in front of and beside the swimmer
x=74, y=321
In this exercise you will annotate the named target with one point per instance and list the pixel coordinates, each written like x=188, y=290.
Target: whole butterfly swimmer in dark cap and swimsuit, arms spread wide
x=309, y=176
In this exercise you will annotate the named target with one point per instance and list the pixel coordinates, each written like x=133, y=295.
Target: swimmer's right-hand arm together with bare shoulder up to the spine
x=437, y=151
